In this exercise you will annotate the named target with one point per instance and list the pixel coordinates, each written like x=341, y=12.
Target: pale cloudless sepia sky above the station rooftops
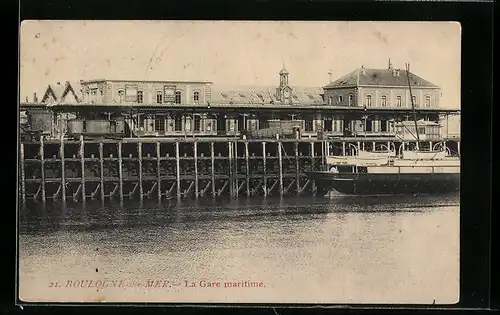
x=235, y=53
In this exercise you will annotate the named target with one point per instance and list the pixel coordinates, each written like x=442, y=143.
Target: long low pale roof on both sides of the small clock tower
x=263, y=95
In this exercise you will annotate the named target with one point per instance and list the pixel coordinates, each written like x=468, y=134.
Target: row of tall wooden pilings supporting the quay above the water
x=162, y=169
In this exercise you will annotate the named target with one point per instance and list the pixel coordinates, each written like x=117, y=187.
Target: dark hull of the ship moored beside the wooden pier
x=366, y=184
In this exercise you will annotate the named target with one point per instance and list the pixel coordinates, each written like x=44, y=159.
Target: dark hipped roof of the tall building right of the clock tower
x=379, y=77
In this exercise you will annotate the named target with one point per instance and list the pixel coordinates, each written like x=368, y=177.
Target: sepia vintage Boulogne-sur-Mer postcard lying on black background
x=239, y=162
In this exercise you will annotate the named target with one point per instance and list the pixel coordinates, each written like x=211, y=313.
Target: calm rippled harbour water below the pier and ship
x=392, y=249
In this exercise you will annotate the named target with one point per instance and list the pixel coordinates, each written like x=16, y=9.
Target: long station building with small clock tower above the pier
x=363, y=102
